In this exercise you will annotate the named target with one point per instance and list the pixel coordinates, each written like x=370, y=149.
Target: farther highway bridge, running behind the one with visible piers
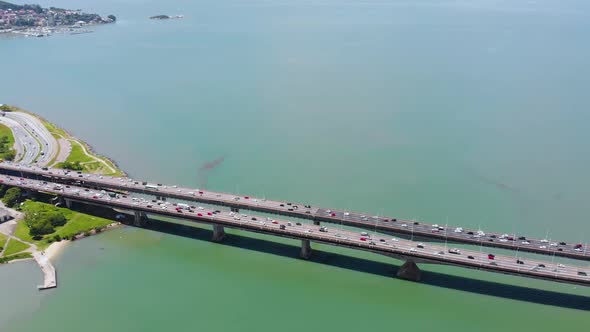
x=392, y=225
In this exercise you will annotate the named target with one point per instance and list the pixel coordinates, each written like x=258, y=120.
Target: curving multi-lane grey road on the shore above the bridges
x=41, y=146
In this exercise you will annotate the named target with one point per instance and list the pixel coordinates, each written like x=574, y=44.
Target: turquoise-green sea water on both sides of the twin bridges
x=475, y=111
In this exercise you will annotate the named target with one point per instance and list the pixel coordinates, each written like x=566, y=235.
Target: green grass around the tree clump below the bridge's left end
x=76, y=223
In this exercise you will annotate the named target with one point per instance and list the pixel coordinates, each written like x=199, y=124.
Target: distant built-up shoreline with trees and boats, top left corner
x=35, y=21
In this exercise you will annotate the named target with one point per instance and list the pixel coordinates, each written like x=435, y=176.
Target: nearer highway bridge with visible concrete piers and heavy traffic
x=409, y=251
